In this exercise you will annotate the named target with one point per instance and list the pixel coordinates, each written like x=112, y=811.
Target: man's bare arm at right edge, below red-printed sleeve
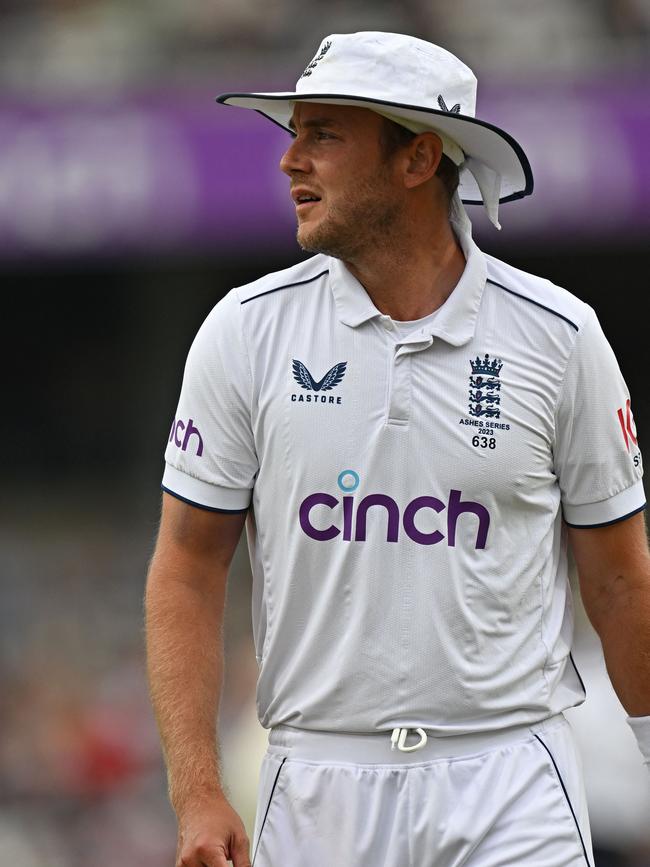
x=613, y=565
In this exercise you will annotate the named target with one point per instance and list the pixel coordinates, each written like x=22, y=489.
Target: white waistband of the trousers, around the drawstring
x=375, y=748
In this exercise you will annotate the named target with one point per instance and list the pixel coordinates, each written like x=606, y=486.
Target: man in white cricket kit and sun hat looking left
x=411, y=429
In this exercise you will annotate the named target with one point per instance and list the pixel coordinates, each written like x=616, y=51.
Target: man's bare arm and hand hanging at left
x=184, y=606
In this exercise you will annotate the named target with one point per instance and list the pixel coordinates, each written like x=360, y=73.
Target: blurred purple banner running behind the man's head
x=178, y=172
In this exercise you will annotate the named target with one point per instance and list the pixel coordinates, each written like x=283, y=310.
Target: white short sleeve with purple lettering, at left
x=210, y=457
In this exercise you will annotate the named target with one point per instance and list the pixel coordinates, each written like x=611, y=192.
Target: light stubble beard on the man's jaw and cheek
x=364, y=219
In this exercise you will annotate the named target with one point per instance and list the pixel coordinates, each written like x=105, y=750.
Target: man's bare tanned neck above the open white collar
x=411, y=274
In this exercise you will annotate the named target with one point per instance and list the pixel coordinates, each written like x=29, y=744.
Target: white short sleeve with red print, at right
x=596, y=454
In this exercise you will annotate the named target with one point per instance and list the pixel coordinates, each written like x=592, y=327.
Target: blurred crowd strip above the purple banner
x=47, y=44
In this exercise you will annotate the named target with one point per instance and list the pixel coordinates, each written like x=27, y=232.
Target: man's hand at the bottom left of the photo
x=211, y=834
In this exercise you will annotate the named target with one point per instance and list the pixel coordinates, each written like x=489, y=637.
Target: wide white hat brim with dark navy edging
x=479, y=139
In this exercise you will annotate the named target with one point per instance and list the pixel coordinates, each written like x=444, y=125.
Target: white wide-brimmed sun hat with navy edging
x=420, y=86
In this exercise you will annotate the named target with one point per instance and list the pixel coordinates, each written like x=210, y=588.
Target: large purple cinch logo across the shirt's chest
x=355, y=515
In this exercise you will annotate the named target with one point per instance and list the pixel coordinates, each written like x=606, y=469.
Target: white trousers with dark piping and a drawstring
x=512, y=798
